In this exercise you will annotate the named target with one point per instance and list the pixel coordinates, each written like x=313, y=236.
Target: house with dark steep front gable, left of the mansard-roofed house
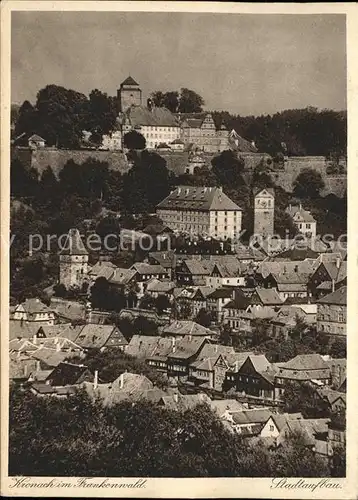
x=256, y=377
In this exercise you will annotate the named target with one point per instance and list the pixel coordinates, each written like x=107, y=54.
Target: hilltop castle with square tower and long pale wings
x=161, y=127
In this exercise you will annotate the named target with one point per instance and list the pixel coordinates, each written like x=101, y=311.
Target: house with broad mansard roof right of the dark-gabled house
x=302, y=368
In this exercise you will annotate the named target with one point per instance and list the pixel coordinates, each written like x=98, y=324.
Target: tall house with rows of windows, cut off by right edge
x=332, y=313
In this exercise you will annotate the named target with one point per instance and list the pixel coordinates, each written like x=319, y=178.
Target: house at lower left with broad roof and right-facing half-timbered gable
x=94, y=336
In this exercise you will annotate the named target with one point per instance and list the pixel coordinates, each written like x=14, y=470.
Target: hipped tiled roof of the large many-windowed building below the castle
x=198, y=198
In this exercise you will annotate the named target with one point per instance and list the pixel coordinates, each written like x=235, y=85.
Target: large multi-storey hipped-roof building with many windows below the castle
x=201, y=211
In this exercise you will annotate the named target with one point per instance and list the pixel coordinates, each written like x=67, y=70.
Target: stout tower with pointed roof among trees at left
x=73, y=260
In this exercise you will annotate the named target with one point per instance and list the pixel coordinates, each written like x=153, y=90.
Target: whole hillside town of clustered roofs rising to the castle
x=217, y=290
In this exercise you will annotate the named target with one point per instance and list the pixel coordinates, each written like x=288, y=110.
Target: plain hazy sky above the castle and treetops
x=247, y=64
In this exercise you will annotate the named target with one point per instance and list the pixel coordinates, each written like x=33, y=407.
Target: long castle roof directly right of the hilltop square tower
x=156, y=117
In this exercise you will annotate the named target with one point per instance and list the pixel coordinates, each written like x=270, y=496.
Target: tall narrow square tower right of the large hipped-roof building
x=264, y=207
